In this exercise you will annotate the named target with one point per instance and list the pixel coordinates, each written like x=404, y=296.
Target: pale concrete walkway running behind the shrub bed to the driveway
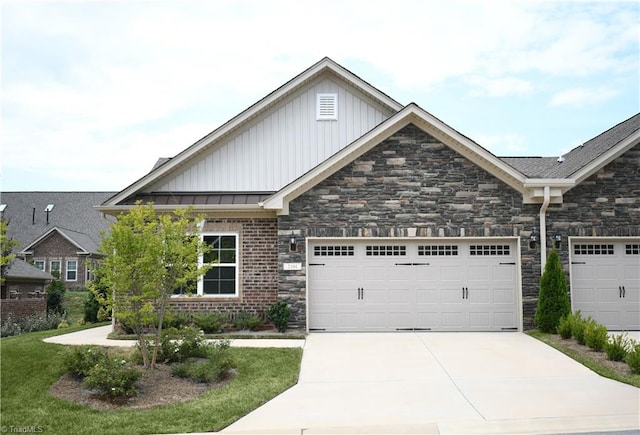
x=98, y=336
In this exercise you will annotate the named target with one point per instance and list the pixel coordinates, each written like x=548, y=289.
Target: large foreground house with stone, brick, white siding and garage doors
x=367, y=215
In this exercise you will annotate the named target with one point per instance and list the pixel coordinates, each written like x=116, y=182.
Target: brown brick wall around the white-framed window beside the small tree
x=258, y=269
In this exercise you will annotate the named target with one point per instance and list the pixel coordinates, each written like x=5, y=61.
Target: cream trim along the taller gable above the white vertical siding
x=322, y=66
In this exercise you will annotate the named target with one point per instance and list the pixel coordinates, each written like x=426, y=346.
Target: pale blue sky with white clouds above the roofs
x=94, y=92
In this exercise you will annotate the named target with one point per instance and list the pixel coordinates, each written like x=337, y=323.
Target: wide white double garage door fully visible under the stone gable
x=387, y=286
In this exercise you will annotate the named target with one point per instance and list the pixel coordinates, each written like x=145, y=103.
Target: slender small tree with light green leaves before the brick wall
x=146, y=257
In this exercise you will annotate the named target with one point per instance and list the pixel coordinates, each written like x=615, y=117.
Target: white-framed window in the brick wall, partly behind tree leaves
x=222, y=278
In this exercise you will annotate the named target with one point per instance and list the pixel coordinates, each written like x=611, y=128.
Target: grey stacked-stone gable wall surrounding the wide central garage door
x=410, y=182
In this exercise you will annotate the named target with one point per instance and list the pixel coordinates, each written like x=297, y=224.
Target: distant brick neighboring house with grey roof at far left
x=58, y=232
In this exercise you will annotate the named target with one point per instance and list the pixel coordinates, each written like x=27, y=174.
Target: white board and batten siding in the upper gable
x=280, y=145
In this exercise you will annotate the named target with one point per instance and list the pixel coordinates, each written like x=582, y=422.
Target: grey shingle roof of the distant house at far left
x=73, y=214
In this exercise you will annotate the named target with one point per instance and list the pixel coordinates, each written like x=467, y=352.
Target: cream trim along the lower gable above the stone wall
x=411, y=114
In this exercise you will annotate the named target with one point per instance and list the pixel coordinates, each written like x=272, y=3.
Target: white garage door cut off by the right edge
x=605, y=281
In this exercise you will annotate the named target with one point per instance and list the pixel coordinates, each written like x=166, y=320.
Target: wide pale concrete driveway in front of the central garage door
x=442, y=383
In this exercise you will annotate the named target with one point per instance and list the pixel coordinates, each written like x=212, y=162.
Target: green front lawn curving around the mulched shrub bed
x=30, y=367
